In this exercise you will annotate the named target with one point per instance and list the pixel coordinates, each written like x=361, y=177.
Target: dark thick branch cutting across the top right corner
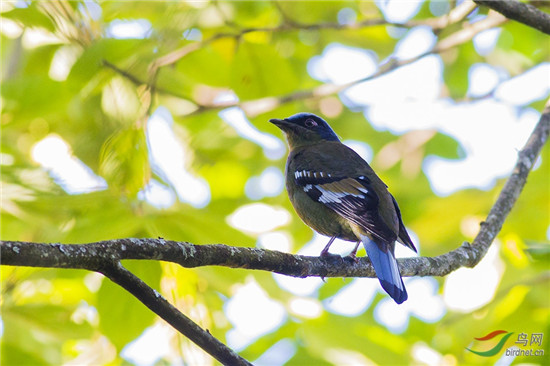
x=521, y=12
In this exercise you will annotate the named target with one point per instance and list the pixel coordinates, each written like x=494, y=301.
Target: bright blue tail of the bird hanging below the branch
x=386, y=269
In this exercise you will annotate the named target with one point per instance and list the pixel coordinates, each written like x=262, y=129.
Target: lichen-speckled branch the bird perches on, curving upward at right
x=94, y=256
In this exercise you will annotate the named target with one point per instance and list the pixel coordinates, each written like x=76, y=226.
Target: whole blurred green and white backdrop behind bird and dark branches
x=147, y=119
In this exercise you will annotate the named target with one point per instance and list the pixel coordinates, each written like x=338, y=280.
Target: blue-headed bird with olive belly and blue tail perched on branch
x=336, y=193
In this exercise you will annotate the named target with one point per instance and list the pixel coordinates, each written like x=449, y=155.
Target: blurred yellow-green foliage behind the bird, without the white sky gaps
x=52, y=316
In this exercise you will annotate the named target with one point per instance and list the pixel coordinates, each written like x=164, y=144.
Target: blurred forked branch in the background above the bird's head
x=262, y=105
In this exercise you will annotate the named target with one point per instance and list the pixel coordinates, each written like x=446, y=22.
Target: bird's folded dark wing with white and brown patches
x=351, y=197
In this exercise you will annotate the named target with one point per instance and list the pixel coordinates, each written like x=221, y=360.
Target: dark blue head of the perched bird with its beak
x=305, y=129
